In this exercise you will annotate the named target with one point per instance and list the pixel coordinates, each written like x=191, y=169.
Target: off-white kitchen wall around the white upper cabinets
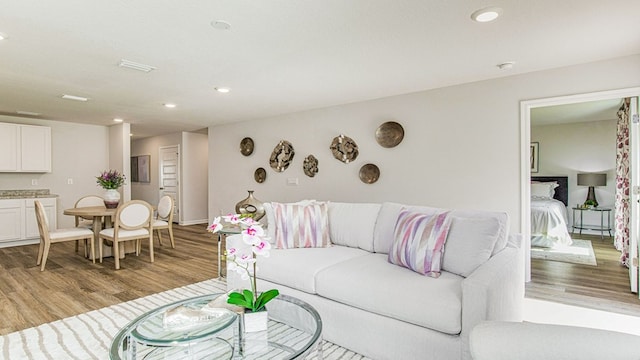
x=79, y=152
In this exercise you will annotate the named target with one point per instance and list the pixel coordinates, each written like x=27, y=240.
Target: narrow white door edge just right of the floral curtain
x=634, y=183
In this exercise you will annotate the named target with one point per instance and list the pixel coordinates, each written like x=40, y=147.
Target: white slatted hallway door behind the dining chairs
x=169, y=166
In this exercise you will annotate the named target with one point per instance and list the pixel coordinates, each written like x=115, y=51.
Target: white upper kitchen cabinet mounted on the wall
x=25, y=148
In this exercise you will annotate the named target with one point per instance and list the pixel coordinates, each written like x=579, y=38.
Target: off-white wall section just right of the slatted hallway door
x=194, y=175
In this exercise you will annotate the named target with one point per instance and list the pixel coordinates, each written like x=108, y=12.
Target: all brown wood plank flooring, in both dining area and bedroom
x=71, y=284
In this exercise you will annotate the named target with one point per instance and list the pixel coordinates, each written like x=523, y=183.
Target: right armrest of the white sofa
x=494, y=291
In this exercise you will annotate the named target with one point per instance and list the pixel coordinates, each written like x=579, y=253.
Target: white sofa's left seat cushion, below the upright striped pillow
x=297, y=268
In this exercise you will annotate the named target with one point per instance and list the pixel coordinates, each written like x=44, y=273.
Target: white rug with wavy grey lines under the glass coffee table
x=89, y=335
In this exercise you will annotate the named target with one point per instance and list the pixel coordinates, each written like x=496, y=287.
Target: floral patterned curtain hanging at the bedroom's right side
x=621, y=241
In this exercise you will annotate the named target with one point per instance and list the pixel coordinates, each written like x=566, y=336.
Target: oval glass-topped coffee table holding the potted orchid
x=294, y=331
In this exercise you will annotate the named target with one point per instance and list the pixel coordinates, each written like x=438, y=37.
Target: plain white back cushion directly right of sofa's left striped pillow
x=352, y=224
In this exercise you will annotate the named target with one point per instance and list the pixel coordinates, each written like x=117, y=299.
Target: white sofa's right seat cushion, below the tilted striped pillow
x=371, y=283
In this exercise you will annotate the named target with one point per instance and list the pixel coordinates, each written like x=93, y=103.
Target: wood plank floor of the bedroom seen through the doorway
x=603, y=287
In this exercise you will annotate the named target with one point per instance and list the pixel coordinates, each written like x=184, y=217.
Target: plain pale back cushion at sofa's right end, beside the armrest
x=469, y=244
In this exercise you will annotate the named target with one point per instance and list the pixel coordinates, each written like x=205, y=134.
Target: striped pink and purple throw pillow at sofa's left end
x=301, y=226
